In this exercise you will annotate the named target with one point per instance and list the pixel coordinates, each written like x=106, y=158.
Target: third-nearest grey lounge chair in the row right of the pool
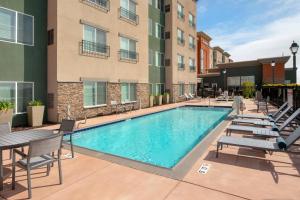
x=260, y=121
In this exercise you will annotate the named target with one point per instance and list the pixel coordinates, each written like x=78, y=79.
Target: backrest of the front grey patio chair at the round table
x=45, y=145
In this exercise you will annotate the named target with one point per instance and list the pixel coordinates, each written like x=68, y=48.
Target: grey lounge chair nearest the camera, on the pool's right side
x=279, y=145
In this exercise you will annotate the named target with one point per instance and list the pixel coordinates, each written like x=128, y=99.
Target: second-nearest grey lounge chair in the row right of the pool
x=265, y=132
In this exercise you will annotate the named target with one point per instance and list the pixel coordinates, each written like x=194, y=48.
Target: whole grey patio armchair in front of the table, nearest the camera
x=39, y=154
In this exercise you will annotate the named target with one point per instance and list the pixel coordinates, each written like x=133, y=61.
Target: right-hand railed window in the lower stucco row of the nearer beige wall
x=128, y=49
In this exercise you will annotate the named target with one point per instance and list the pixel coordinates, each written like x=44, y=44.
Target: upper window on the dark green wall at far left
x=16, y=27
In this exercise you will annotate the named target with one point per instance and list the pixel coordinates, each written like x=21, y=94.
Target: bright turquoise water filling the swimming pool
x=160, y=139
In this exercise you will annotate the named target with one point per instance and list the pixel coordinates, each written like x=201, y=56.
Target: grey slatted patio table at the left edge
x=16, y=140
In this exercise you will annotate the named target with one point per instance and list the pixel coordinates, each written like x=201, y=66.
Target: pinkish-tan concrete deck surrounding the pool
x=238, y=173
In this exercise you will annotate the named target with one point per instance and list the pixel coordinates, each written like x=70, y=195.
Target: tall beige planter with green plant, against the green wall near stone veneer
x=35, y=113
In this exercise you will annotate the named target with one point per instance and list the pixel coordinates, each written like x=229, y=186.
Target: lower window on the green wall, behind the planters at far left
x=18, y=93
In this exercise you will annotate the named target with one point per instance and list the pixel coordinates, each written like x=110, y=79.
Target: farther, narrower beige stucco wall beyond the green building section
x=174, y=76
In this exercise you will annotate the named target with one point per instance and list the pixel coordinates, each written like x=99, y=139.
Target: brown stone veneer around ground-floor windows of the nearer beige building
x=72, y=94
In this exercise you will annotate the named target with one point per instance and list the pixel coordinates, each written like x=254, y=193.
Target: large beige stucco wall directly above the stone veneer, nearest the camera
x=71, y=66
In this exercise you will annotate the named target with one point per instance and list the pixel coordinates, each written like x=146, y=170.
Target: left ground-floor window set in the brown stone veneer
x=94, y=93
